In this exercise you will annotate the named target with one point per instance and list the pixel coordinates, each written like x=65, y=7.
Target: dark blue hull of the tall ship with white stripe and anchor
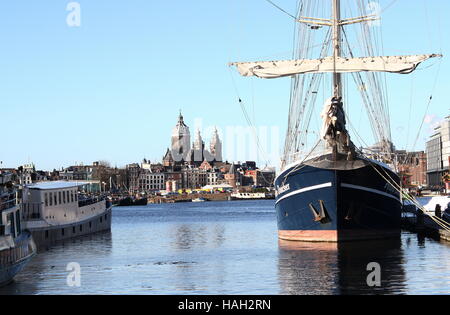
x=337, y=201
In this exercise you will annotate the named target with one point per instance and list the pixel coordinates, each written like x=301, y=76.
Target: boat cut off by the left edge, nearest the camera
x=16, y=245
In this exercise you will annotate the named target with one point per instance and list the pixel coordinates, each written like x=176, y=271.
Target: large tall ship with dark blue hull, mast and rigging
x=331, y=191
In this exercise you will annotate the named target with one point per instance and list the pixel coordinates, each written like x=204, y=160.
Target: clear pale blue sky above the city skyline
x=111, y=88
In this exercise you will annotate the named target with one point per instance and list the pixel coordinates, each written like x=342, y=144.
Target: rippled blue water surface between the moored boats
x=228, y=248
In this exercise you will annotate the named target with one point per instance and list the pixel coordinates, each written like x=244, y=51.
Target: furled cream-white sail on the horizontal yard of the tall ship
x=278, y=69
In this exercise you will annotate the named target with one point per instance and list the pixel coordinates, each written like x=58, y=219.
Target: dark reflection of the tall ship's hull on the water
x=328, y=268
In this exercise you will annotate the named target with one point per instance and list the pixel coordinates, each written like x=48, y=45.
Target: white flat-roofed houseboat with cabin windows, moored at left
x=56, y=211
